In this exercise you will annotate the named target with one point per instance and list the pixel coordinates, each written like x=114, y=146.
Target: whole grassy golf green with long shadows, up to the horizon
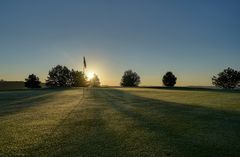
x=120, y=122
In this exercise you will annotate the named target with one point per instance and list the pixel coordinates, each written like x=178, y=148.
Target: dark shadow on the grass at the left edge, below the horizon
x=14, y=102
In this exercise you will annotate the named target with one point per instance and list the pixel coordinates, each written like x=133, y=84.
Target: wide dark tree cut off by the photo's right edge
x=228, y=79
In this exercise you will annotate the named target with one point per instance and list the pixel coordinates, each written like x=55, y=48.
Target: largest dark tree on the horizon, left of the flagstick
x=59, y=76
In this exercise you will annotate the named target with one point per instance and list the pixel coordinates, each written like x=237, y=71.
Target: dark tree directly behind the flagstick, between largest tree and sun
x=79, y=79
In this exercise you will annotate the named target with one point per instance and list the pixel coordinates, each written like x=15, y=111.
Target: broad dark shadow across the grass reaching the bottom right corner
x=190, y=130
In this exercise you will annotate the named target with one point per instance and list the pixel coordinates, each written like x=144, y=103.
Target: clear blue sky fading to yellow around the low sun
x=195, y=39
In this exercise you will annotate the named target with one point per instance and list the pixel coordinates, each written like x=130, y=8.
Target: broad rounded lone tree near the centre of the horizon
x=130, y=79
